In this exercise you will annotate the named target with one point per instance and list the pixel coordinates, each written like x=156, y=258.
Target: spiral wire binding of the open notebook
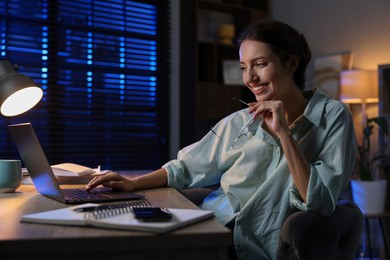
x=116, y=209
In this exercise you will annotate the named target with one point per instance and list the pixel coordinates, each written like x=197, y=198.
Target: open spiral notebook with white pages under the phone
x=117, y=216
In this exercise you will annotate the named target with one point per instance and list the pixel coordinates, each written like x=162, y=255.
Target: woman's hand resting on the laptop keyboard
x=111, y=180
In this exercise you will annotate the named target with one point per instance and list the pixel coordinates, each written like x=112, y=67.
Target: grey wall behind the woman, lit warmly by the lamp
x=359, y=26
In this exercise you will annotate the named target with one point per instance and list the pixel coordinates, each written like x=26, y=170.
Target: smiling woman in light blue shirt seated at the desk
x=290, y=150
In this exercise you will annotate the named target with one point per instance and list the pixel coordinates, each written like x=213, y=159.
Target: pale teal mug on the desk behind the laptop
x=10, y=175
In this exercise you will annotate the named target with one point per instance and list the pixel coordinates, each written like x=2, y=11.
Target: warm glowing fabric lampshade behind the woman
x=359, y=86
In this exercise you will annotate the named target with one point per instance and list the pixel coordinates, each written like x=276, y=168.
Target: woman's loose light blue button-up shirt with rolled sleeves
x=256, y=189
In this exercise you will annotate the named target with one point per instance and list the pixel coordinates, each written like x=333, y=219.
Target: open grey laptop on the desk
x=44, y=179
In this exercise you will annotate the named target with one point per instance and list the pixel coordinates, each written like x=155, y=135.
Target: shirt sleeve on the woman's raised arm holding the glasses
x=332, y=167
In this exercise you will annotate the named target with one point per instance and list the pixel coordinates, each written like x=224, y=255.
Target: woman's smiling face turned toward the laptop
x=263, y=72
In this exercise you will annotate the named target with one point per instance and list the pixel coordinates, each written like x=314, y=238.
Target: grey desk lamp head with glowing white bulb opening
x=18, y=93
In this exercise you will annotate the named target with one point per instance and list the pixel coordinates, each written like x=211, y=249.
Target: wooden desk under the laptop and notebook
x=204, y=240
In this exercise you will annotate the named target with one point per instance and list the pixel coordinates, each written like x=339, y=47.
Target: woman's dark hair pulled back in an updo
x=284, y=40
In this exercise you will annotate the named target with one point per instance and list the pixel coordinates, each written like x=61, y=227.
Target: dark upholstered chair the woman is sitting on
x=305, y=235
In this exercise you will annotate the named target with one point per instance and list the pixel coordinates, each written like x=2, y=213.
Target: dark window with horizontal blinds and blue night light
x=104, y=69
